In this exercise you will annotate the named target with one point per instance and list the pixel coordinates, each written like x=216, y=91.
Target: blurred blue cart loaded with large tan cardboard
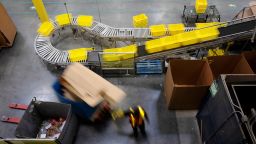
x=90, y=95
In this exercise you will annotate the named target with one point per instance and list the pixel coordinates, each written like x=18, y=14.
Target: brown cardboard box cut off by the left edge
x=7, y=28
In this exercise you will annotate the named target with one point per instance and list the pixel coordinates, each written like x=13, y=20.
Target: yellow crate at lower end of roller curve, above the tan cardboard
x=79, y=54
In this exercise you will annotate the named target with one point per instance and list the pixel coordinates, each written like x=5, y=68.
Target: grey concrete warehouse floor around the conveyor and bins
x=23, y=76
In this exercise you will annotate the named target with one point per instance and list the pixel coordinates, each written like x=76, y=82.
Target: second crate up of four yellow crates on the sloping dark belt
x=171, y=42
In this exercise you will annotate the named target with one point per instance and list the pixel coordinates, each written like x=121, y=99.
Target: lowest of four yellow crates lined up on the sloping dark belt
x=155, y=45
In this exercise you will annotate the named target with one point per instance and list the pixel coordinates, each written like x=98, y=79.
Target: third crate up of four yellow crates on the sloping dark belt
x=188, y=38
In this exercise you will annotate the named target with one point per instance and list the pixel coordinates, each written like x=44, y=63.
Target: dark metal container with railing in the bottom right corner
x=226, y=115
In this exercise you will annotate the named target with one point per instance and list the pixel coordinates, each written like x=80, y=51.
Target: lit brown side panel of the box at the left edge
x=7, y=26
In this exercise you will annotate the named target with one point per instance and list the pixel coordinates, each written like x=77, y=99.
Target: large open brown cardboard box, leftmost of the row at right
x=186, y=83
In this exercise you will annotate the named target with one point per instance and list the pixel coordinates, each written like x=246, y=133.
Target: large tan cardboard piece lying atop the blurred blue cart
x=89, y=86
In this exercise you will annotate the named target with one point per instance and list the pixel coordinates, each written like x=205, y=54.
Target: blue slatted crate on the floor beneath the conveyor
x=149, y=67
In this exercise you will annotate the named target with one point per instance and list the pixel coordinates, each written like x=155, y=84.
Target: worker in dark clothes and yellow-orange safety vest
x=136, y=118
